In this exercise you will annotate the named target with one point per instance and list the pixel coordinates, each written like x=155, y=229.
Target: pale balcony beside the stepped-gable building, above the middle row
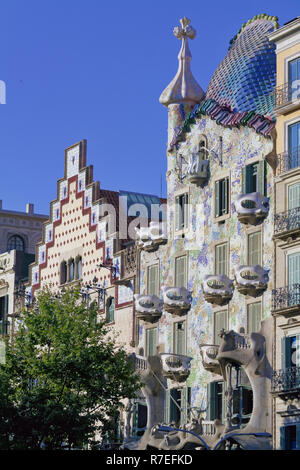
x=149, y=238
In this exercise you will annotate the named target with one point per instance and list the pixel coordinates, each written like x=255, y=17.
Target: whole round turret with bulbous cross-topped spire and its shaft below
x=183, y=92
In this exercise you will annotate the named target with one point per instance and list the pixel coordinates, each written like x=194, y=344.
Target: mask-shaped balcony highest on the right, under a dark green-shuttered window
x=252, y=208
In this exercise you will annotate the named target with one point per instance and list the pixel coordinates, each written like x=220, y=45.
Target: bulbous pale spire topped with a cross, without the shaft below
x=183, y=88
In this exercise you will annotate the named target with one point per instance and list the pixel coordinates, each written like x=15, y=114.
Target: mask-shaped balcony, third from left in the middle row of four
x=217, y=289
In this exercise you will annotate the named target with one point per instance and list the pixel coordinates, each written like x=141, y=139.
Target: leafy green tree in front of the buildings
x=64, y=377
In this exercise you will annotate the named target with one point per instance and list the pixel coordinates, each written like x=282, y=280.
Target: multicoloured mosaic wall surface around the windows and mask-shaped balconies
x=239, y=147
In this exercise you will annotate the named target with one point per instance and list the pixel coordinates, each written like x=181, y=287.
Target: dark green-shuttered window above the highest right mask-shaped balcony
x=254, y=178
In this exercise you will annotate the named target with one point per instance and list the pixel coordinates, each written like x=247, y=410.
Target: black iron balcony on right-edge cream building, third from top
x=287, y=224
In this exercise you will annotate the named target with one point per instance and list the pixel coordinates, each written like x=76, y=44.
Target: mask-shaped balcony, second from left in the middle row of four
x=176, y=300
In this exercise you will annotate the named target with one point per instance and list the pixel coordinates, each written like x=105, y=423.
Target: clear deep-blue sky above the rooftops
x=90, y=69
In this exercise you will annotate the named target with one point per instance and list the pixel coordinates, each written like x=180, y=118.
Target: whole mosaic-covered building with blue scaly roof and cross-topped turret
x=205, y=296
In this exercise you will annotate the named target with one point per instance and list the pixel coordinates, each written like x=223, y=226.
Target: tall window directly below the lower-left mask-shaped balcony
x=177, y=405
